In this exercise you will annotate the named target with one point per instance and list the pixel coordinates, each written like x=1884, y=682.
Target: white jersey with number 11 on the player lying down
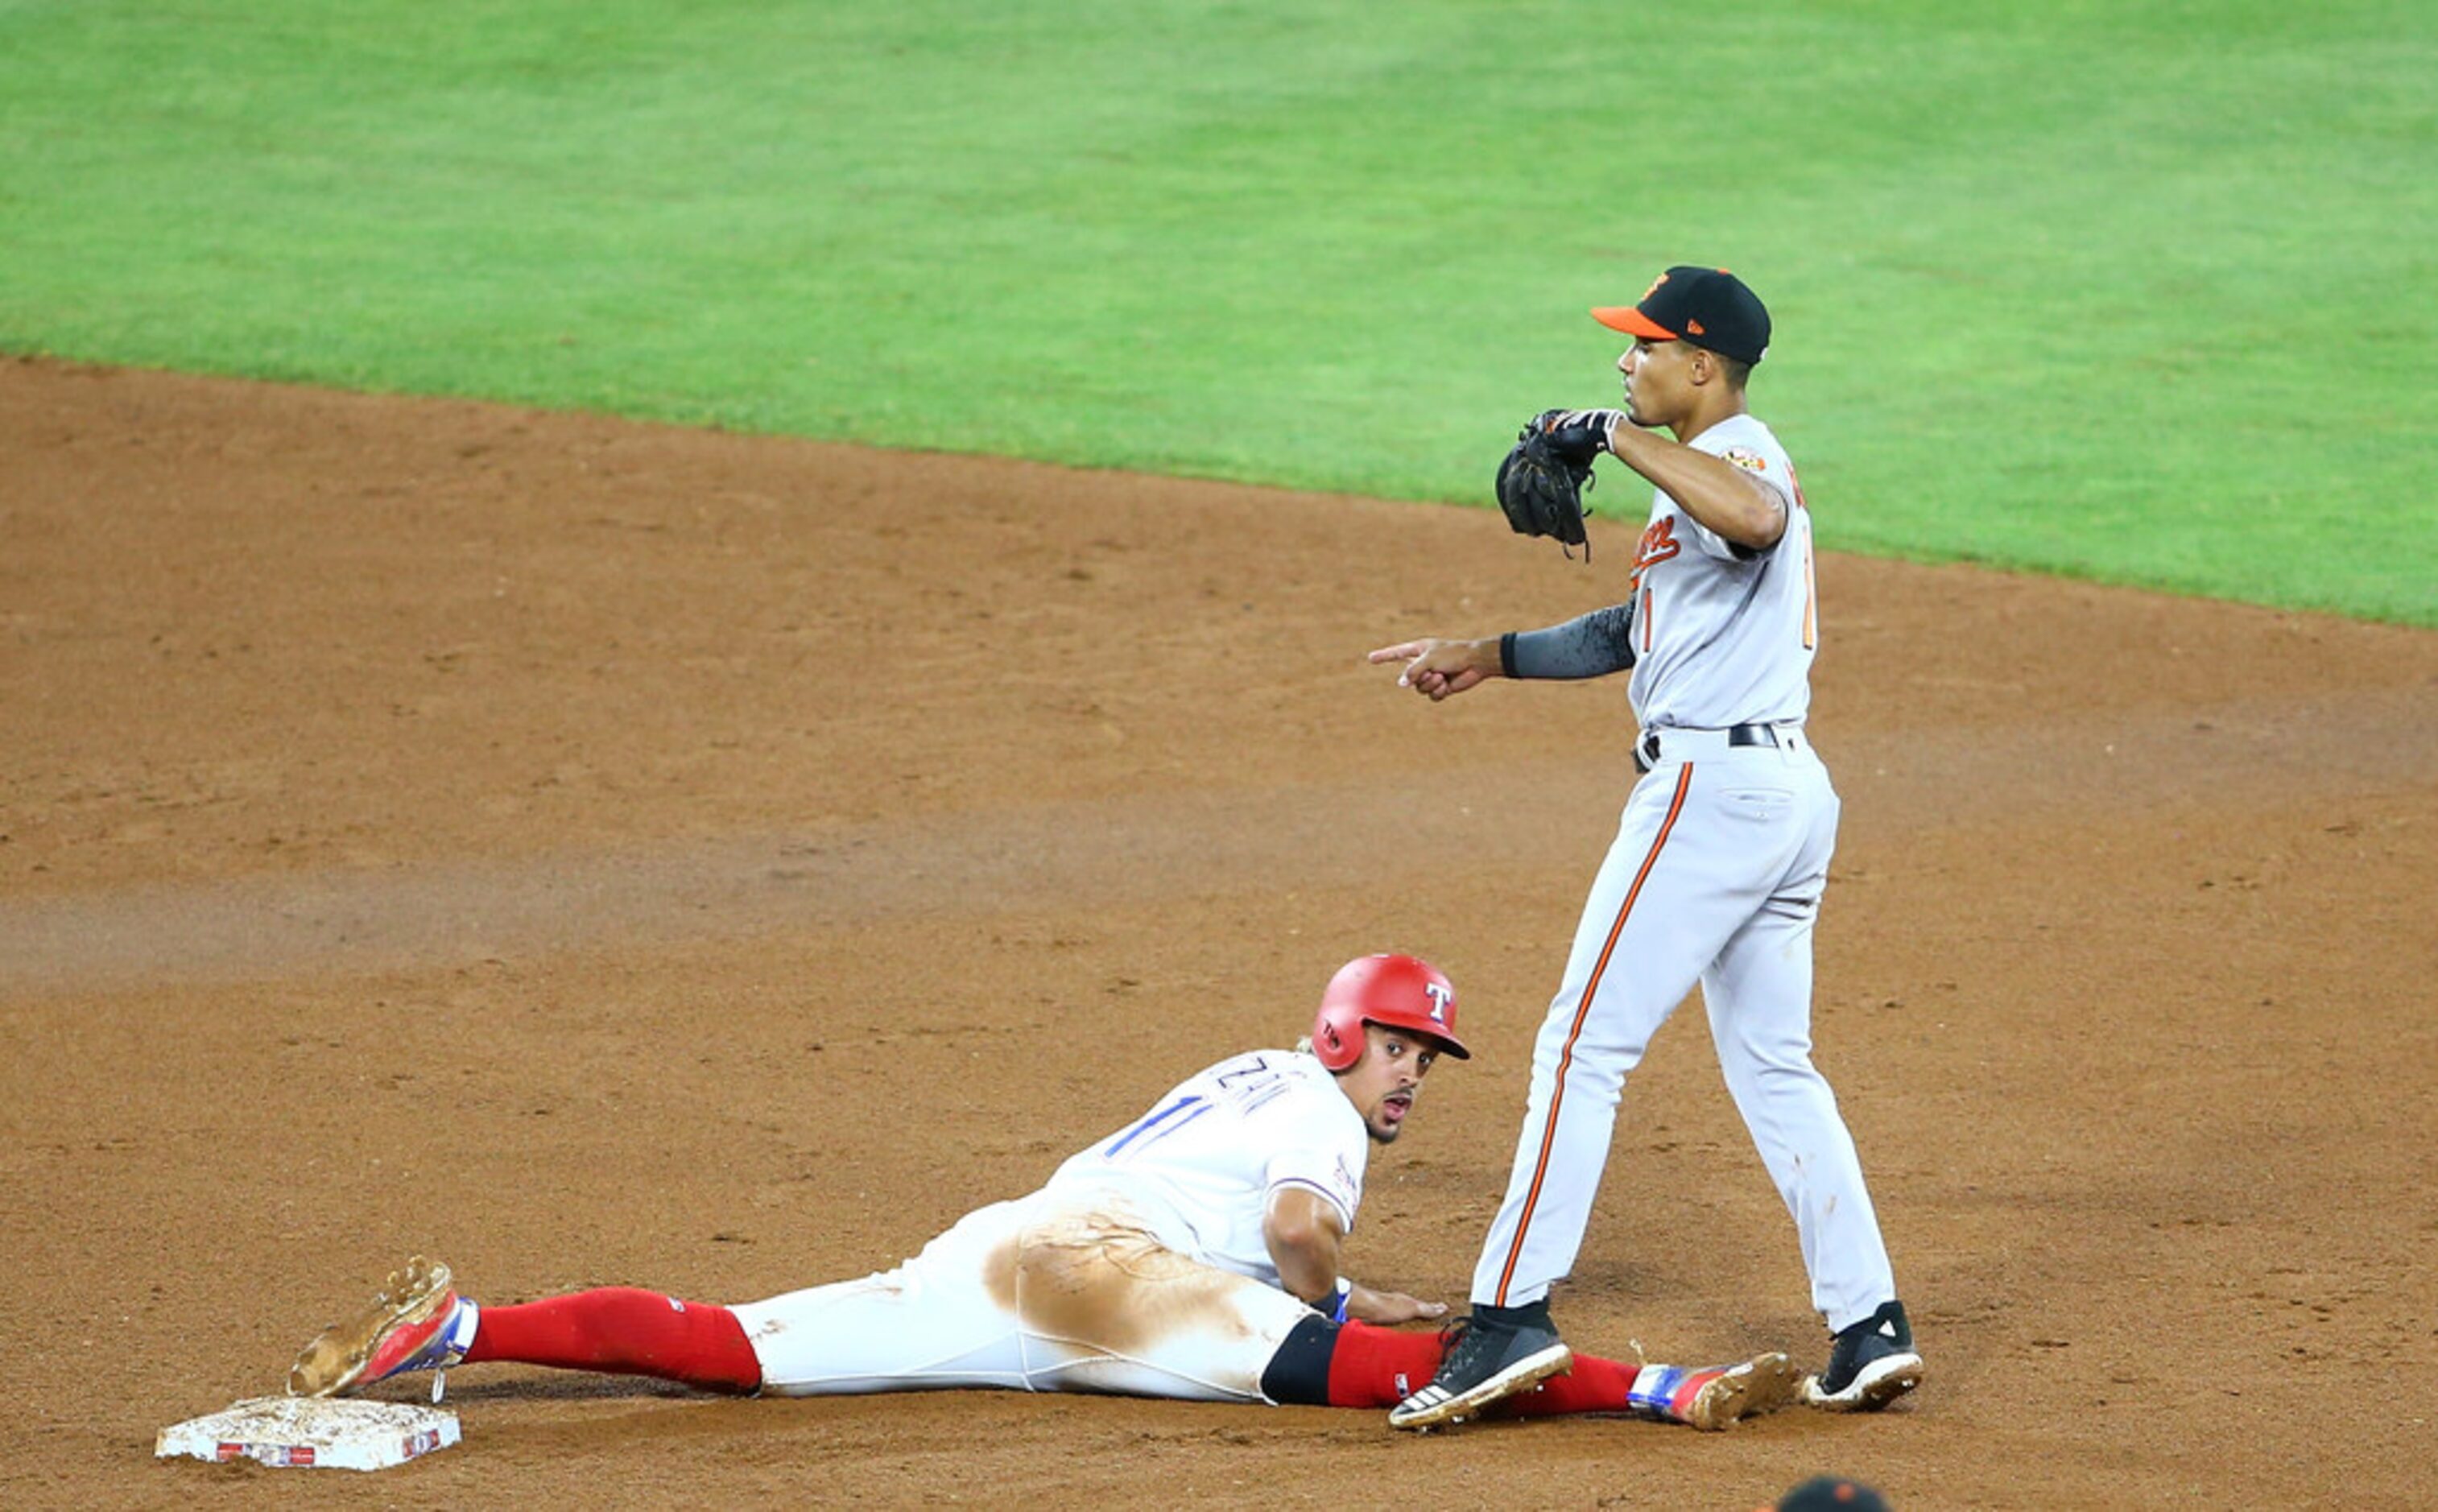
x=1201, y=1167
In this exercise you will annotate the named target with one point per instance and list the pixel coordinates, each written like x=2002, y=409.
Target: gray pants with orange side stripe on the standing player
x=1715, y=877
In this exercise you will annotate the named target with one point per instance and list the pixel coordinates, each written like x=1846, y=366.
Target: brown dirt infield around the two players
x=620, y=855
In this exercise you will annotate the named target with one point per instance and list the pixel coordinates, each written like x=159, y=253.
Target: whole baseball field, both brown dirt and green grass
x=667, y=647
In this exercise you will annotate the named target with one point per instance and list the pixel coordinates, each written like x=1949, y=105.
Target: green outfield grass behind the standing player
x=2139, y=291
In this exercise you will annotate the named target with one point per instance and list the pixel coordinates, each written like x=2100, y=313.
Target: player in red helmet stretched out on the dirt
x=1191, y=1255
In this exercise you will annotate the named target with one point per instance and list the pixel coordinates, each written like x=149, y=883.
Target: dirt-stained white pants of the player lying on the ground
x=1040, y=1294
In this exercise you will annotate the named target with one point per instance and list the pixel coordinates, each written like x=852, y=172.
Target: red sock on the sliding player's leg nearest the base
x=625, y=1333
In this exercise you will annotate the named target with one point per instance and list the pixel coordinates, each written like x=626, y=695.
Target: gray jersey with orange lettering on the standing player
x=1725, y=638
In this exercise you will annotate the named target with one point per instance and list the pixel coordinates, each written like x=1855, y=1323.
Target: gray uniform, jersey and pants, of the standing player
x=1715, y=877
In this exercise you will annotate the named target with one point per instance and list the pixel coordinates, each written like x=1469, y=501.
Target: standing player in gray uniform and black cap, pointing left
x=1720, y=860
